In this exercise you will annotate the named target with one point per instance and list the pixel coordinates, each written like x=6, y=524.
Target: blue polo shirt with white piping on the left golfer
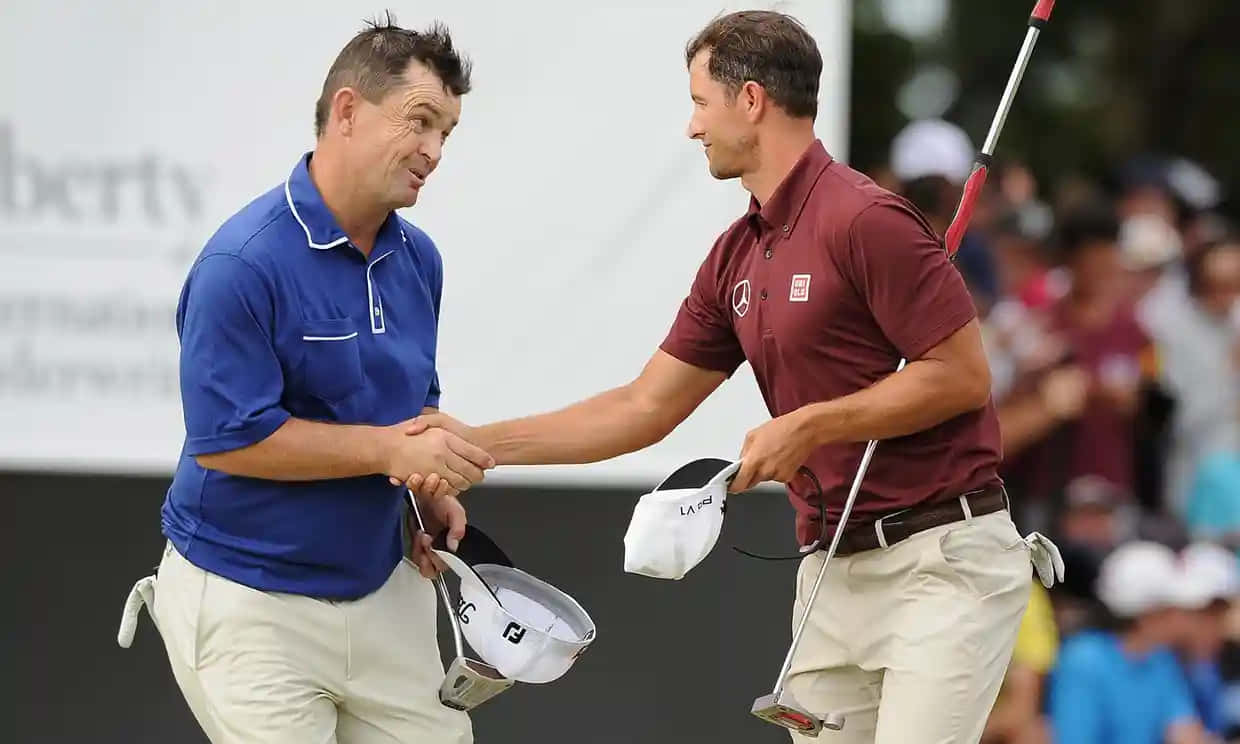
x=282, y=317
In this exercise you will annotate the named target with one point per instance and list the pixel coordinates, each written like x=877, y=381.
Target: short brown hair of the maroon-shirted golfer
x=771, y=49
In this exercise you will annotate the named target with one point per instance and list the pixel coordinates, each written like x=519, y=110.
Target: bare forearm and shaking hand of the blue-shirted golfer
x=303, y=451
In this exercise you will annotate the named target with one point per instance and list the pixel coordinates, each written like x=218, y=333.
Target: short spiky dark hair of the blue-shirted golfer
x=376, y=59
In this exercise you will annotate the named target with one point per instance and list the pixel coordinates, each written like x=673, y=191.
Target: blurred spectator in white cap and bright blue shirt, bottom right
x=1125, y=686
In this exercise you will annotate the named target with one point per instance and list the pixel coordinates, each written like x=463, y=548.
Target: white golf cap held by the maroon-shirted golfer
x=675, y=526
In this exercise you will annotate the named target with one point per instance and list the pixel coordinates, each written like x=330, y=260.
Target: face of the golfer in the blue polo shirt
x=396, y=144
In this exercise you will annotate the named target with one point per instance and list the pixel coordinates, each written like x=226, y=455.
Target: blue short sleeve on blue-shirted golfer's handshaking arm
x=231, y=378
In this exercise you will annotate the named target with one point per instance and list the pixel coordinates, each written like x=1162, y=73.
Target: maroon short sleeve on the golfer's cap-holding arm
x=900, y=267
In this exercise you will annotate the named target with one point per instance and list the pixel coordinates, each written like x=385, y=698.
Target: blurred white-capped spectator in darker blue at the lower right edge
x=1211, y=581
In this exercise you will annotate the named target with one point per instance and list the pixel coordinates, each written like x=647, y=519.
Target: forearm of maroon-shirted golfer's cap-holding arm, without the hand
x=923, y=395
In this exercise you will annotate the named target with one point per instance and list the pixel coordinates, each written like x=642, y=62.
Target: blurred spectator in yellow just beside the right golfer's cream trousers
x=1017, y=715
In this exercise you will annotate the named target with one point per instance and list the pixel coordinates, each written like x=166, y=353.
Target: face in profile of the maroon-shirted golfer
x=724, y=123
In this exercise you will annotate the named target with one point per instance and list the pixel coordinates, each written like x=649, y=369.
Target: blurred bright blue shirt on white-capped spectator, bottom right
x=1100, y=695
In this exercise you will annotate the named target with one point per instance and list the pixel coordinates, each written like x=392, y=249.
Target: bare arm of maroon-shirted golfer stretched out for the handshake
x=613, y=423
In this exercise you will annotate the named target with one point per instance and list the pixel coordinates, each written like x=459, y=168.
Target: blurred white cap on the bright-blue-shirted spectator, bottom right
x=1139, y=577
